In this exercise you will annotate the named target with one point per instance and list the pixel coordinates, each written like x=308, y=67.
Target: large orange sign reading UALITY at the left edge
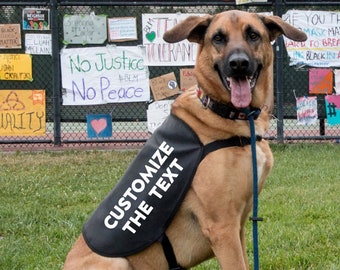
x=22, y=112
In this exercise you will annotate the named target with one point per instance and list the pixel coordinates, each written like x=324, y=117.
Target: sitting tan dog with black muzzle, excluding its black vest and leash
x=234, y=70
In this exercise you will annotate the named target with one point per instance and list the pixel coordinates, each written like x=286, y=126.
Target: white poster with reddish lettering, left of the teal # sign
x=306, y=110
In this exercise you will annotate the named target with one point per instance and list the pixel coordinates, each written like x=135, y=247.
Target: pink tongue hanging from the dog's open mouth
x=240, y=93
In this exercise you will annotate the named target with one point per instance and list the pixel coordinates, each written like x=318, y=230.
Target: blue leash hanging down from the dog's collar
x=251, y=116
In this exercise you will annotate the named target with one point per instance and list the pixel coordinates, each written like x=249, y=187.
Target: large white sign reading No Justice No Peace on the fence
x=100, y=75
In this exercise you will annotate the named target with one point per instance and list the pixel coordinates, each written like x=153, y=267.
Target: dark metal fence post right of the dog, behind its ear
x=279, y=46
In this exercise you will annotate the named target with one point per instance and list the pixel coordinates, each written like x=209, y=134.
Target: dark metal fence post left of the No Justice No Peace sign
x=56, y=73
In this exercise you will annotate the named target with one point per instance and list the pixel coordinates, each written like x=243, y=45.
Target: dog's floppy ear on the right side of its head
x=277, y=27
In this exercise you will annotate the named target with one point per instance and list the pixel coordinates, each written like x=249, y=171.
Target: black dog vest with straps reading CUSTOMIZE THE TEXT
x=137, y=212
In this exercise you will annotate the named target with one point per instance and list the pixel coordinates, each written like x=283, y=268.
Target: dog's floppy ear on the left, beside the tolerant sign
x=192, y=28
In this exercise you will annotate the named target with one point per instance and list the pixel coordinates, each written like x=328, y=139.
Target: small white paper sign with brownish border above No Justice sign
x=122, y=29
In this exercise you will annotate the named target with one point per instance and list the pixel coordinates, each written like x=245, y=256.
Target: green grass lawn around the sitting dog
x=46, y=197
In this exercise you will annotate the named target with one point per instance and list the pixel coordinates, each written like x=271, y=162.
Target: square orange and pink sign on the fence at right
x=320, y=81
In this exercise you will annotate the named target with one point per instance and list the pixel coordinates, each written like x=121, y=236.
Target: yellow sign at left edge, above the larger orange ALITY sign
x=16, y=67
